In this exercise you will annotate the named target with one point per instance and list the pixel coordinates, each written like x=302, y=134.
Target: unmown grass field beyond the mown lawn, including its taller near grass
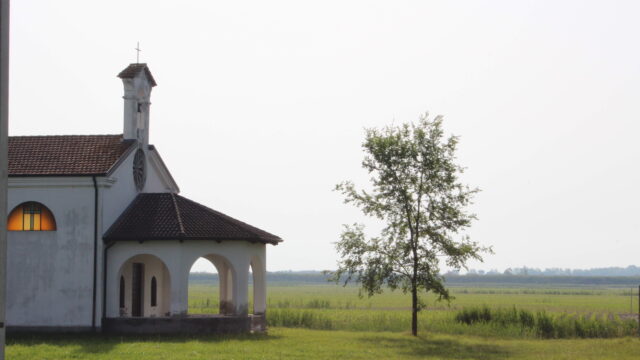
x=331, y=307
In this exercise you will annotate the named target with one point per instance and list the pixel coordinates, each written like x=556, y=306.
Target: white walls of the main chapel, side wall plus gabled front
x=50, y=274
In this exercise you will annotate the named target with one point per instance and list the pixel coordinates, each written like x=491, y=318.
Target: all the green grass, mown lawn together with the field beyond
x=328, y=322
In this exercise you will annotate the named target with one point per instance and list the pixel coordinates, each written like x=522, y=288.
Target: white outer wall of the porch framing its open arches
x=178, y=258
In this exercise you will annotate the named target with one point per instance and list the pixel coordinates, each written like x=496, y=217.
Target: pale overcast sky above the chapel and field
x=260, y=108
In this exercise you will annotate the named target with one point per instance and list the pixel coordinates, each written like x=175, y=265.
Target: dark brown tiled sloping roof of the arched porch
x=168, y=216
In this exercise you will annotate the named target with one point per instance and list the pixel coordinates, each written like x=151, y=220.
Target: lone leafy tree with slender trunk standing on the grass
x=417, y=193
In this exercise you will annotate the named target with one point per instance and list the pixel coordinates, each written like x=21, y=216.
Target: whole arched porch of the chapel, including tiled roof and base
x=169, y=229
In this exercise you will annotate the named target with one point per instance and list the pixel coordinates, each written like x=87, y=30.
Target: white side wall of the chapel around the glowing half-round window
x=50, y=273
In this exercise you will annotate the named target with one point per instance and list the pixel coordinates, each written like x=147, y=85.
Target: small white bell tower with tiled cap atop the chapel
x=138, y=82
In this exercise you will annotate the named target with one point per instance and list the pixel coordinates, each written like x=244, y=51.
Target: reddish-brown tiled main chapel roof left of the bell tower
x=65, y=155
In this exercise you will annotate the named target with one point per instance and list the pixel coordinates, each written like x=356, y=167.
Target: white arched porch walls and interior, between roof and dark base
x=232, y=259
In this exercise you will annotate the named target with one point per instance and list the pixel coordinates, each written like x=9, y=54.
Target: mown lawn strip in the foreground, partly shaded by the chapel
x=283, y=343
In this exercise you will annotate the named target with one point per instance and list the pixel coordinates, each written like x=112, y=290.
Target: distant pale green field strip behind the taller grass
x=585, y=300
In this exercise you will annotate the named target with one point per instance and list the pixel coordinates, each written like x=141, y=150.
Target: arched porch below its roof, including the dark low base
x=234, y=260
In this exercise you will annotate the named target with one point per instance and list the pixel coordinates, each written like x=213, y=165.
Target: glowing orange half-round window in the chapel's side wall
x=31, y=216
